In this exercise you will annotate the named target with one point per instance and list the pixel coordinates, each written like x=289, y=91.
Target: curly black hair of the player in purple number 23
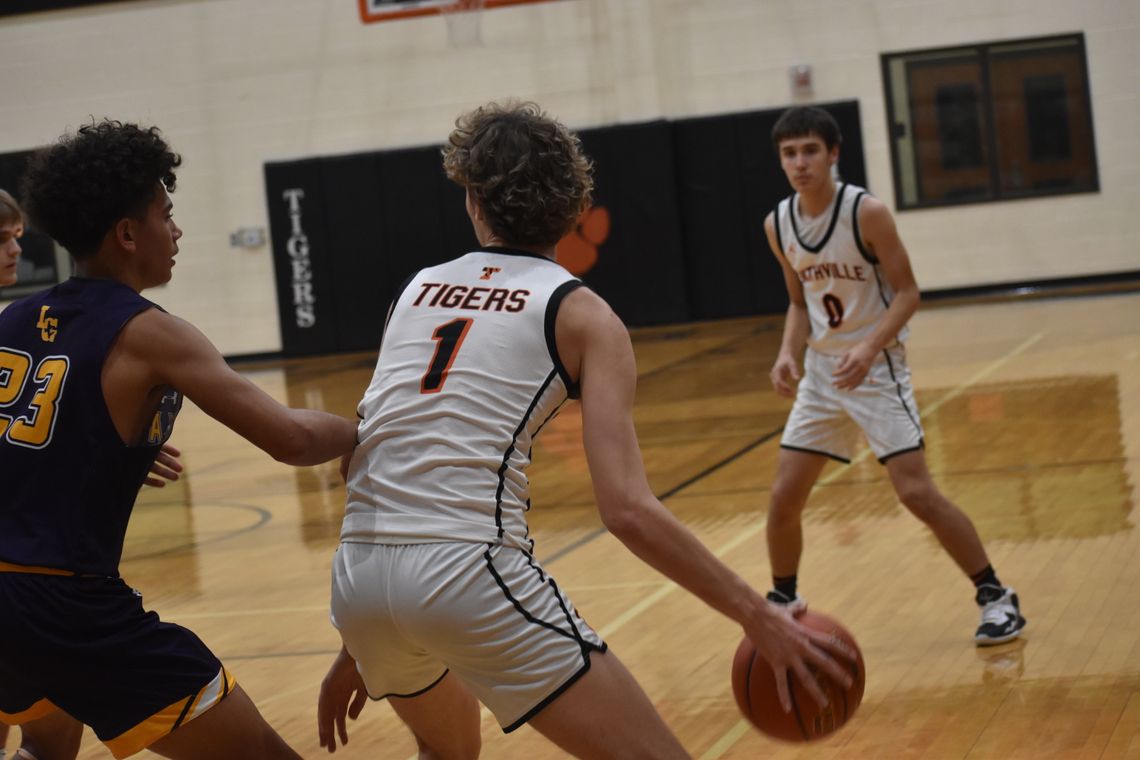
x=78, y=189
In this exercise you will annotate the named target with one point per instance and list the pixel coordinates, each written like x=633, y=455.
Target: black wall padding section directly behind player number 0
x=729, y=179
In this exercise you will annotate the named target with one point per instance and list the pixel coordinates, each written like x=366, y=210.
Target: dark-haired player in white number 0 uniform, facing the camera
x=852, y=293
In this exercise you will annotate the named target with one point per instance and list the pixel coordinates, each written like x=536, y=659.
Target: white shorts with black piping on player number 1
x=490, y=615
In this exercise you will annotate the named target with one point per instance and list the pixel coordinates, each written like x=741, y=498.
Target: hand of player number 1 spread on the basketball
x=789, y=647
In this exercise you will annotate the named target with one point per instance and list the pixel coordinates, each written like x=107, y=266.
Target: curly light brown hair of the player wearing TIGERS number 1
x=525, y=170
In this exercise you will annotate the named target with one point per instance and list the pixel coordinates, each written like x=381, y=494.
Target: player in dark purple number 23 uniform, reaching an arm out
x=92, y=380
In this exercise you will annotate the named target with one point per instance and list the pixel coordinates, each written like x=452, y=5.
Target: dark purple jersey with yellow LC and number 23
x=69, y=479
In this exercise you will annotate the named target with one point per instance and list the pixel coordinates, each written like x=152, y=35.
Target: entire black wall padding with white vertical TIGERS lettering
x=687, y=202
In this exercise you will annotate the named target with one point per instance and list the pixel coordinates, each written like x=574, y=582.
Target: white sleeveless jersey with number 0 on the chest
x=846, y=293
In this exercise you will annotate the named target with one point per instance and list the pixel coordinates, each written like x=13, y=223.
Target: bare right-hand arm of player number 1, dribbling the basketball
x=595, y=342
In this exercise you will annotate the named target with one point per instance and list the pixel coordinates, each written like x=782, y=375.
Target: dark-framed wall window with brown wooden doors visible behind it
x=990, y=122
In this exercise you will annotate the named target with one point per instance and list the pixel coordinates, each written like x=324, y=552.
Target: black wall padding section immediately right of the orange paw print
x=641, y=271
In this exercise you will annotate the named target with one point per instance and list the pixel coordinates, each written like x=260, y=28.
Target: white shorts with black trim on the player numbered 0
x=828, y=421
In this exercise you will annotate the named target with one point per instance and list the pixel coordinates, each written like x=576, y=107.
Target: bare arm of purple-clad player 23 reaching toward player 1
x=158, y=349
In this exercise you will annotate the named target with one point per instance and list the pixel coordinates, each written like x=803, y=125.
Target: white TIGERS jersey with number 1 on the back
x=468, y=375
